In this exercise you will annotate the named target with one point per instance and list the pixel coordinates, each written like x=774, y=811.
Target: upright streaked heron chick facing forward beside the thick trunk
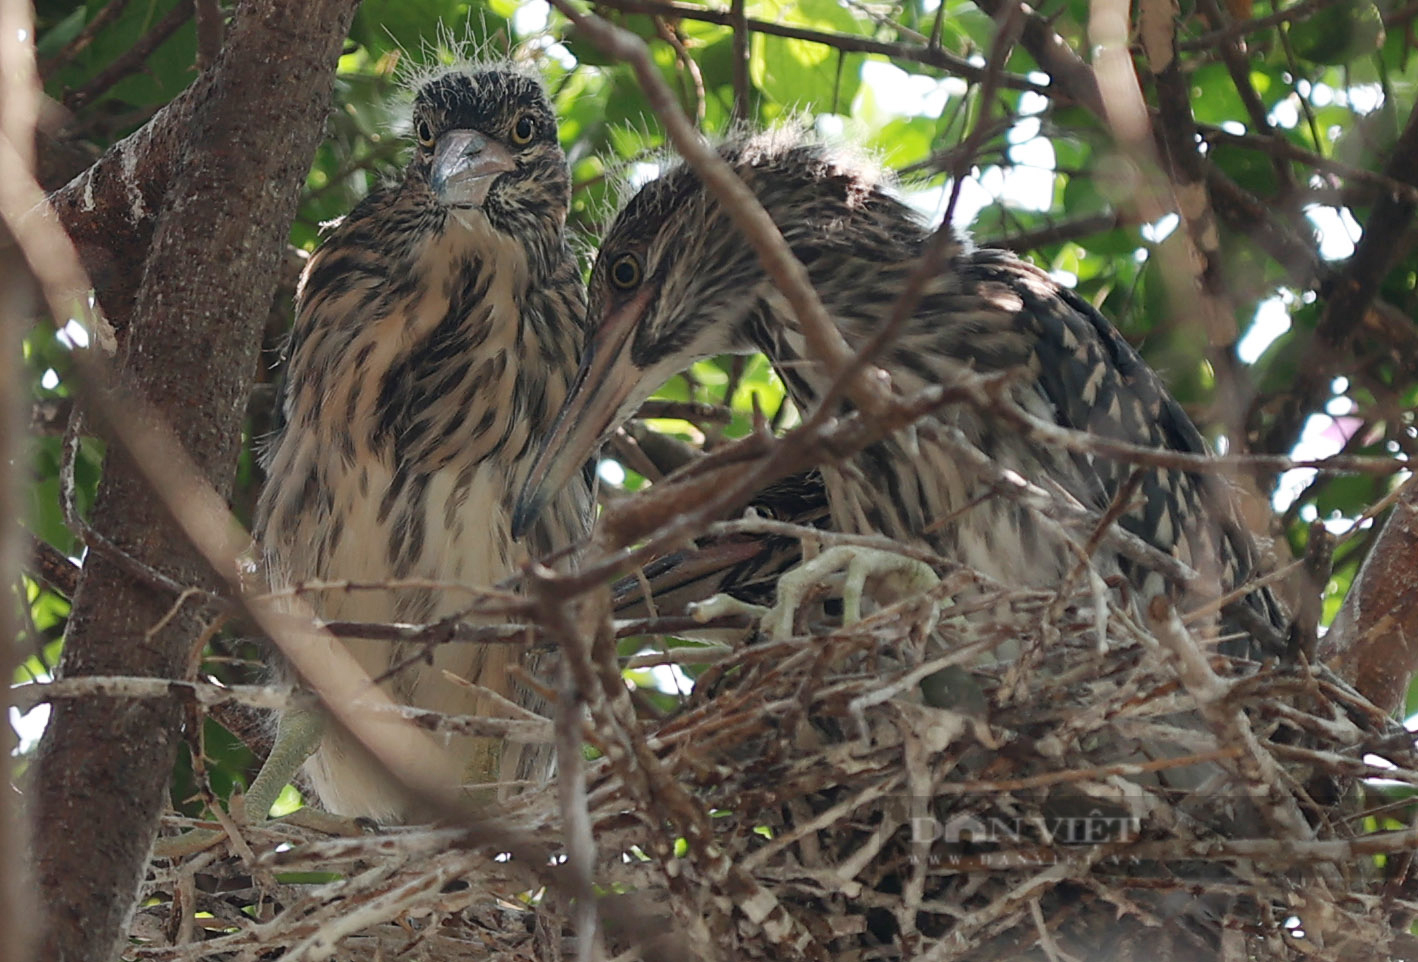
x=437, y=331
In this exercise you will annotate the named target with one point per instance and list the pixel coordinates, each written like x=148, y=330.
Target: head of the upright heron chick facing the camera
x=486, y=140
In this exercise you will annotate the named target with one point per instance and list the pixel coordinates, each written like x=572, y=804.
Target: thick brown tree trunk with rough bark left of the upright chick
x=103, y=770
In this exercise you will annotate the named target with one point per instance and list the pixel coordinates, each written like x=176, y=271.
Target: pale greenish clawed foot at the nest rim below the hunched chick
x=908, y=577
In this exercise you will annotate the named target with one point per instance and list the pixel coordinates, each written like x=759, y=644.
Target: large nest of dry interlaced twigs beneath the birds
x=968, y=773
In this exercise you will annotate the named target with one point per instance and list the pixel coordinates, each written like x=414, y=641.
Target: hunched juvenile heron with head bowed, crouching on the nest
x=676, y=283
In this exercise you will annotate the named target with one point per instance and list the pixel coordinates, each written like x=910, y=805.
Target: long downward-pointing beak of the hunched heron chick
x=608, y=387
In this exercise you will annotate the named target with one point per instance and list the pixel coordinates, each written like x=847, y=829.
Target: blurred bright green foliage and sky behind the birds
x=1334, y=82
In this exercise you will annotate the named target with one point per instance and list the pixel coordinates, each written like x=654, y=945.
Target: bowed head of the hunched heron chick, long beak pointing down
x=676, y=282
